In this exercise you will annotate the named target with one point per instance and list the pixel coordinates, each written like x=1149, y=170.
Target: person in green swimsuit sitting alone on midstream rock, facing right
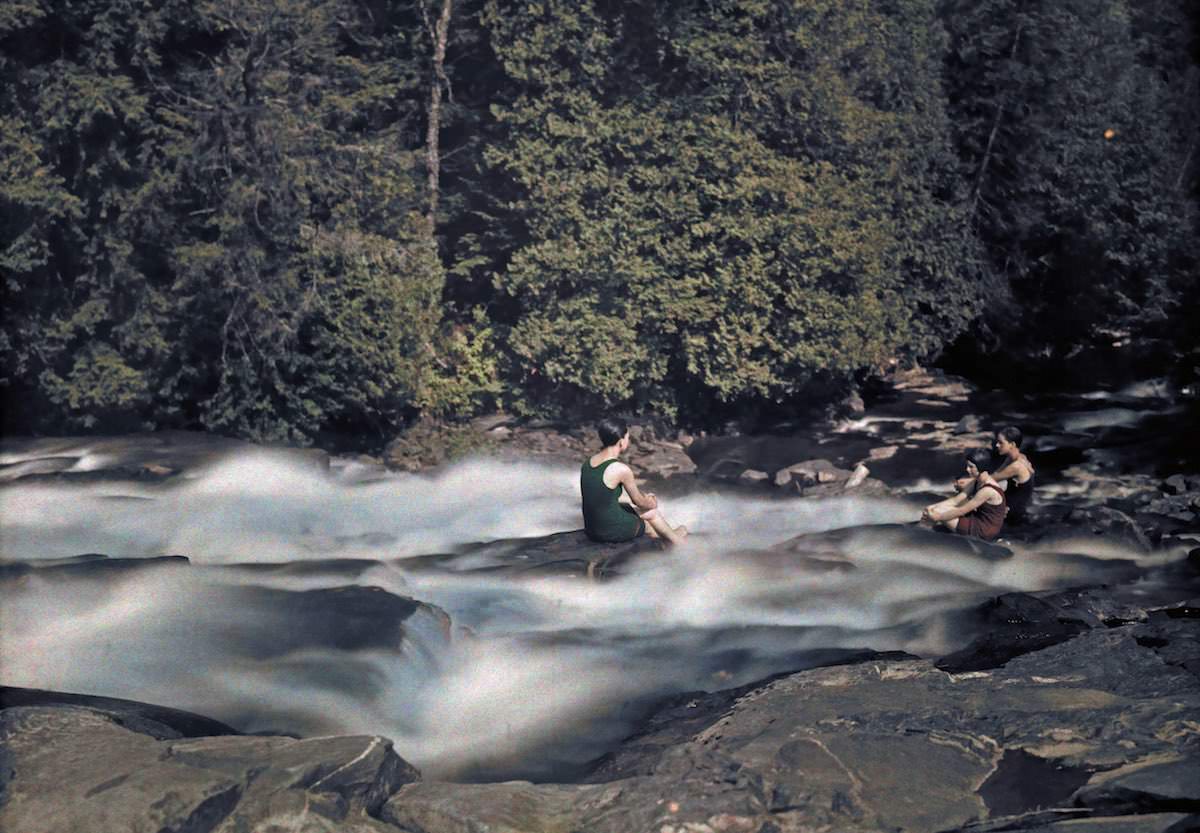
x=604, y=480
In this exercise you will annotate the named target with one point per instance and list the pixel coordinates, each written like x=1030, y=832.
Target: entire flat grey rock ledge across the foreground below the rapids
x=1099, y=733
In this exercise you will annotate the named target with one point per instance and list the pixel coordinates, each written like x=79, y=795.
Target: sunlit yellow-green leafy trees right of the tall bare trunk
x=721, y=201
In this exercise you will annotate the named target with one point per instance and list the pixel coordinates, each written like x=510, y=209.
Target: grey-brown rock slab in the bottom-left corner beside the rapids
x=76, y=769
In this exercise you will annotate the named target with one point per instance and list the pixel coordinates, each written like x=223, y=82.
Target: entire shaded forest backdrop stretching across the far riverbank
x=303, y=220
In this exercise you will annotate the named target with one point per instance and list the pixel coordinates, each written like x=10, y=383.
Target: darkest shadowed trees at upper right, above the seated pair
x=1076, y=121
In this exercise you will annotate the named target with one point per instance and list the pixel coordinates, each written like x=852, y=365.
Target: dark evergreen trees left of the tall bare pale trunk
x=215, y=217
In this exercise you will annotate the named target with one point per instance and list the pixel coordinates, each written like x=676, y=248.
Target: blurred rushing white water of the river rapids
x=533, y=674
